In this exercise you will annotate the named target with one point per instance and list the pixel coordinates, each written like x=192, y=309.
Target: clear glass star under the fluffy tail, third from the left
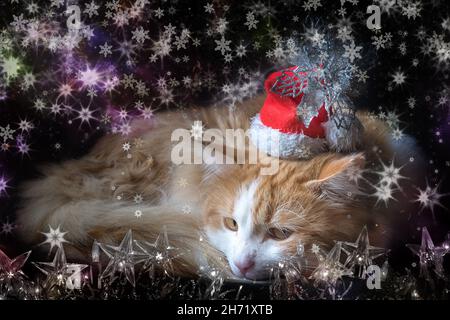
x=122, y=259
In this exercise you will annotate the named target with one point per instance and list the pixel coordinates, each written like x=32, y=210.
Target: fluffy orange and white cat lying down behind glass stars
x=227, y=216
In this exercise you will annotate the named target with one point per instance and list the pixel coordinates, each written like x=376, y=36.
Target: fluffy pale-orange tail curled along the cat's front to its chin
x=108, y=221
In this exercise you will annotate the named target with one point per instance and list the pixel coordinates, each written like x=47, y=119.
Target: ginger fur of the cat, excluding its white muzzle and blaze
x=309, y=197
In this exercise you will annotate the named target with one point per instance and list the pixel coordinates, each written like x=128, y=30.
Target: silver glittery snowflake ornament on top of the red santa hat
x=323, y=74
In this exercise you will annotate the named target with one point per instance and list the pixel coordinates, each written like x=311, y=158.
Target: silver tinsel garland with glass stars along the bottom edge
x=140, y=270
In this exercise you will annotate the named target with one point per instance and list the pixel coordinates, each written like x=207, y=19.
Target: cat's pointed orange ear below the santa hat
x=339, y=176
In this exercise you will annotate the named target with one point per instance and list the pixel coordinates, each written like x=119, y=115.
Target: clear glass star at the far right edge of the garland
x=430, y=257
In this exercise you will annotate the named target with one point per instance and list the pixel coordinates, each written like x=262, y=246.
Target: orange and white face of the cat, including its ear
x=257, y=221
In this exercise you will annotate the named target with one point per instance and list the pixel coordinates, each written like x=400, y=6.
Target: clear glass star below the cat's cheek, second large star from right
x=360, y=254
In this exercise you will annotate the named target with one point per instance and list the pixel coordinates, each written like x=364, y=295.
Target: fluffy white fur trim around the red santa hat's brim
x=284, y=145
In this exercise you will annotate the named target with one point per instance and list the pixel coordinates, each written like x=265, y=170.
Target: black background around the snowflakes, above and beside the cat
x=427, y=83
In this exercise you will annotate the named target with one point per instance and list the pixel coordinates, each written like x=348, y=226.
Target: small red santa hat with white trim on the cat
x=294, y=121
